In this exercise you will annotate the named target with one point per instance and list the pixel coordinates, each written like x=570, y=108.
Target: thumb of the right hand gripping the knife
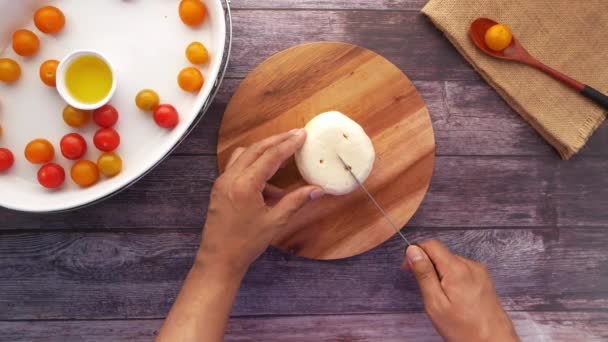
x=425, y=273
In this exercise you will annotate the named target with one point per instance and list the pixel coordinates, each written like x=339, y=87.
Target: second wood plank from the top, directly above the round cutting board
x=407, y=39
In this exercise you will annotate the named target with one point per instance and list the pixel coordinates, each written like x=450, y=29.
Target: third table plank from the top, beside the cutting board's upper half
x=469, y=119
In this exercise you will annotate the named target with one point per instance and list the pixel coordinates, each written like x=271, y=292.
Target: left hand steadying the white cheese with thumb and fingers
x=245, y=212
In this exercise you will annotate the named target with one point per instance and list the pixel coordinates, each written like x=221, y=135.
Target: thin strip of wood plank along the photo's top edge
x=392, y=5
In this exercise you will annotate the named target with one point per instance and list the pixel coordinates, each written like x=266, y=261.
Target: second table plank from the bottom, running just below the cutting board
x=126, y=275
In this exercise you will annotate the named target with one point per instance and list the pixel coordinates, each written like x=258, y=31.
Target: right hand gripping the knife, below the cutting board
x=458, y=294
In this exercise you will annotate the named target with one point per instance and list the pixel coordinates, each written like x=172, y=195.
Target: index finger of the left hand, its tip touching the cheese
x=268, y=164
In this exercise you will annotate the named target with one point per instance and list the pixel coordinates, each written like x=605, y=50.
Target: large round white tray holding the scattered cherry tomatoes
x=145, y=41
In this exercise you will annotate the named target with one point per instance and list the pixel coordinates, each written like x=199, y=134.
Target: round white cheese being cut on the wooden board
x=328, y=135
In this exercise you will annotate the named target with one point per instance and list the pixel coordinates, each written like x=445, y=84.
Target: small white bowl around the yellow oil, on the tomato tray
x=65, y=93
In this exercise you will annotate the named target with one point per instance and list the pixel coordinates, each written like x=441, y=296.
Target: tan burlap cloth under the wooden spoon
x=568, y=35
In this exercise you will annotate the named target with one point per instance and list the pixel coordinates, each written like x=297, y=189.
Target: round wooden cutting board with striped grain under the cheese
x=293, y=86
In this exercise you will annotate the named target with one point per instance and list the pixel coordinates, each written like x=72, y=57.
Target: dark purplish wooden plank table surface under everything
x=499, y=195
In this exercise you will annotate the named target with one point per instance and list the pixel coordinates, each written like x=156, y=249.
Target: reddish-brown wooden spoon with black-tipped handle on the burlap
x=516, y=52
